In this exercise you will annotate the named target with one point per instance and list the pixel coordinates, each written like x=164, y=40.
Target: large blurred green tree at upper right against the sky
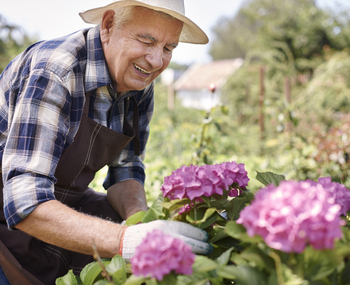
x=295, y=25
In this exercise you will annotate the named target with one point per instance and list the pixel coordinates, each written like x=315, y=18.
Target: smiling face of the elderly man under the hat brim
x=140, y=50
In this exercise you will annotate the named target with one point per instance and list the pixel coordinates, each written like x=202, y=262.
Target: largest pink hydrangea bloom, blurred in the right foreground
x=292, y=215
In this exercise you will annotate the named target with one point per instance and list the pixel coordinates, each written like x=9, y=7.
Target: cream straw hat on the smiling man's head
x=191, y=33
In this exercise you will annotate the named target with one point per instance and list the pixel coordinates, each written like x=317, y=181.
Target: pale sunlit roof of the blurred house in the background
x=200, y=76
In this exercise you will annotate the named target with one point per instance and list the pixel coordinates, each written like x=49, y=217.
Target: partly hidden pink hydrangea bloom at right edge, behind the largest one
x=338, y=191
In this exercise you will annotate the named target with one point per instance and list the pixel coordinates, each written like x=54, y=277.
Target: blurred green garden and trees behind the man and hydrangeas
x=296, y=58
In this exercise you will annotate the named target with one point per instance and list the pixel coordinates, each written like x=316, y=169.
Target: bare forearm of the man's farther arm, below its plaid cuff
x=127, y=198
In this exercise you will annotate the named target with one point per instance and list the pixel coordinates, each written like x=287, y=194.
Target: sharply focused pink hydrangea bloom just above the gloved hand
x=193, y=181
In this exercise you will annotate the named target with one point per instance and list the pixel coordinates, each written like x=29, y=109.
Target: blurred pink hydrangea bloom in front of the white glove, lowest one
x=159, y=254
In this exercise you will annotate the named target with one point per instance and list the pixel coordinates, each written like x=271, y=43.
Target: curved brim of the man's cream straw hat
x=191, y=33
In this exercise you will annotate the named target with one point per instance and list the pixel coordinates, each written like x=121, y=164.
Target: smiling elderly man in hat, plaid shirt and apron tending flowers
x=70, y=106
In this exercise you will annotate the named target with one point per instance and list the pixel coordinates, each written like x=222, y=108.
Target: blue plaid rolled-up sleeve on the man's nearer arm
x=38, y=124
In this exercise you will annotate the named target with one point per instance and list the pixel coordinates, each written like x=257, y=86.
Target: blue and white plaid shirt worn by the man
x=42, y=94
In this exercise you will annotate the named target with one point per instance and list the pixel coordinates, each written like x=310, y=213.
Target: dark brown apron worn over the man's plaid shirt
x=27, y=260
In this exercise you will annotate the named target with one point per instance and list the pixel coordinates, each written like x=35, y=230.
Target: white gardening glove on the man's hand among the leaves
x=133, y=236
